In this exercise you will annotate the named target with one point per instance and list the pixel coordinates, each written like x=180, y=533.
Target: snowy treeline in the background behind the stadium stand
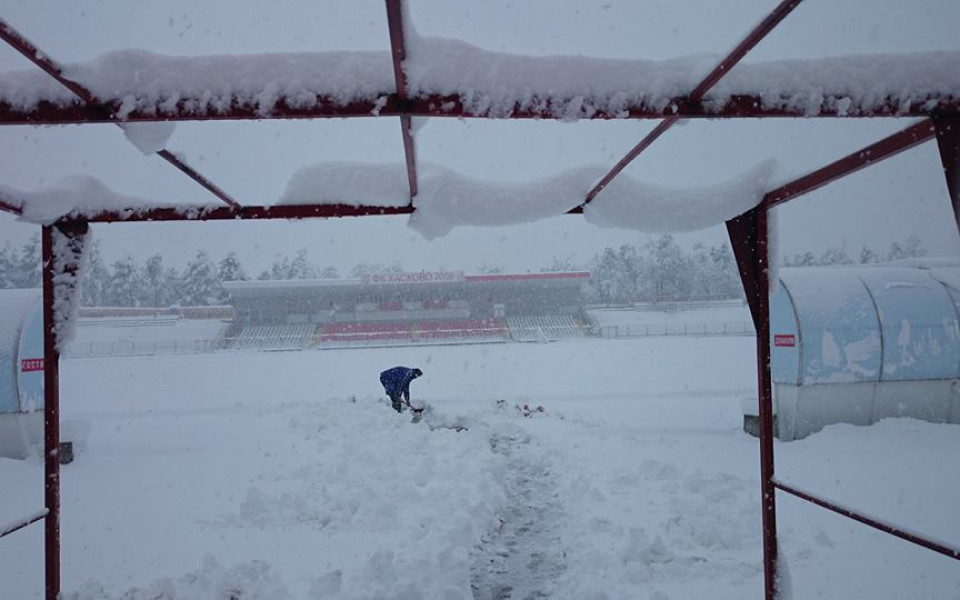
x=660, y=270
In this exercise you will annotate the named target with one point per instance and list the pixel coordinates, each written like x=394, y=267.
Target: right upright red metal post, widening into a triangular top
x=749, y=238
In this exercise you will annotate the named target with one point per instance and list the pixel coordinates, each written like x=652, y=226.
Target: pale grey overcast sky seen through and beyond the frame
x=252, y=161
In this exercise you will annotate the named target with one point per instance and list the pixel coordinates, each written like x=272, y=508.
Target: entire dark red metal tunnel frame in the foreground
x=748, y=232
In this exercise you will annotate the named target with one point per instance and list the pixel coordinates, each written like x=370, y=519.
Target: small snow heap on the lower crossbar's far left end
x=79, y=196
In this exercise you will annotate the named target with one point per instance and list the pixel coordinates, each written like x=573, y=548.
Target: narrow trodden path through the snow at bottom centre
x=522, y=558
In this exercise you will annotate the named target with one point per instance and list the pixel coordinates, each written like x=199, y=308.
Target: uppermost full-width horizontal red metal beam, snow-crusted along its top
x=732, y=107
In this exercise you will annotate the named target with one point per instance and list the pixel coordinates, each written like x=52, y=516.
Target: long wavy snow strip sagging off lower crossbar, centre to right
x=447, y=199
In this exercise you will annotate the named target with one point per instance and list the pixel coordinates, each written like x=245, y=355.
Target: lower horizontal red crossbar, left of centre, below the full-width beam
x=292, y=211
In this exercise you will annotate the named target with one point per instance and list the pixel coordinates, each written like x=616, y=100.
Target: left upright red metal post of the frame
x=51, y=422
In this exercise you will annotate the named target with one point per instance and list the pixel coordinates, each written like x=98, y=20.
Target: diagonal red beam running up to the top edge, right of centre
x=753, y=38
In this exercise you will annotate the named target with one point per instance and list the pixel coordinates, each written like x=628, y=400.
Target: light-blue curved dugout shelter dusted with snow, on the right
x=860, y=344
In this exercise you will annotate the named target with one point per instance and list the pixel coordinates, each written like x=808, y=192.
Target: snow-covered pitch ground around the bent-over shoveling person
x=286, y=475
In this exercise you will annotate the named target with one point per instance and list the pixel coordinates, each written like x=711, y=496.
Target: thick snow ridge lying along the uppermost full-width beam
x=477, y=82
